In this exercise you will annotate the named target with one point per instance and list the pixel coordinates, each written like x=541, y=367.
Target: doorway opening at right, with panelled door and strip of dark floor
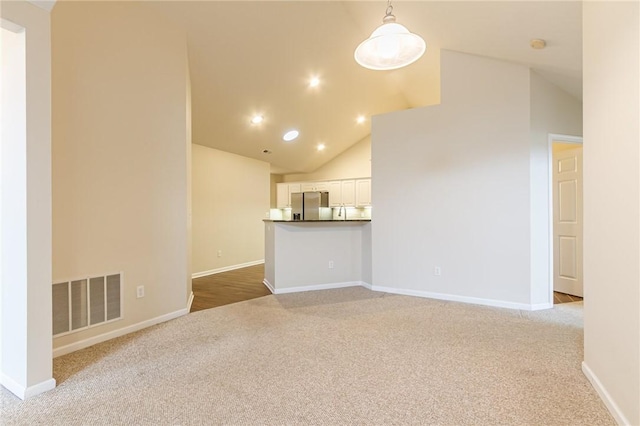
x=565, y=154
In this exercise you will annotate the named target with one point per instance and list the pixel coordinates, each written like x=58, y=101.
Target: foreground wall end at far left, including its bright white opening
x=25, y=314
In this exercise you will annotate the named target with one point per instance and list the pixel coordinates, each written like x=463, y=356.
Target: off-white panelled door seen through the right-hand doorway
x=567, y=221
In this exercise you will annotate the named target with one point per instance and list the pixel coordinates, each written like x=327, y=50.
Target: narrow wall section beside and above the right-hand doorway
x=552, y=111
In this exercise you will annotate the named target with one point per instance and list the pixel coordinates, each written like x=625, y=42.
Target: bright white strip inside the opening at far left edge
x=13, y=215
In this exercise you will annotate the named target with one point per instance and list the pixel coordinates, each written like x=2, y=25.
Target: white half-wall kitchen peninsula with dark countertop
x=316, y=254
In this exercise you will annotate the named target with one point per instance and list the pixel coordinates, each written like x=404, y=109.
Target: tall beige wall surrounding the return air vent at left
x=120, y=156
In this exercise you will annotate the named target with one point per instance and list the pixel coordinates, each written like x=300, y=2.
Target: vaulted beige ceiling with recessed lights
x=256, y=57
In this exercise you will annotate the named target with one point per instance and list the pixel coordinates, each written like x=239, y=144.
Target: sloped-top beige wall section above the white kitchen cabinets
x=355, y=162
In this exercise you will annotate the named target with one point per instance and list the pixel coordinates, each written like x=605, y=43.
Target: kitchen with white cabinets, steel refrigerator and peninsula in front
x=319, y=236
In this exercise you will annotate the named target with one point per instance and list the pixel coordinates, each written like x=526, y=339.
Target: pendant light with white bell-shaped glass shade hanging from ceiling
x=391, y=45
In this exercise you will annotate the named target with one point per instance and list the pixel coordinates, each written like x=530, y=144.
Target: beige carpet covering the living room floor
x=348, y=356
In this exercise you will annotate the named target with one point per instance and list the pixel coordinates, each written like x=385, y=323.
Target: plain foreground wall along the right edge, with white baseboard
x=611, y=58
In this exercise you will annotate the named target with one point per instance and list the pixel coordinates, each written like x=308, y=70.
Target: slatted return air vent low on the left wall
x=86, y=302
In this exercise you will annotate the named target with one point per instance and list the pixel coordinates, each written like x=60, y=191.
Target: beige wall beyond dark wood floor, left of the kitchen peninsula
x=230, y=200
